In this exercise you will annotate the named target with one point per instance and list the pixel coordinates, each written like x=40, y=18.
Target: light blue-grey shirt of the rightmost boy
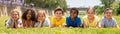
x=108, y=23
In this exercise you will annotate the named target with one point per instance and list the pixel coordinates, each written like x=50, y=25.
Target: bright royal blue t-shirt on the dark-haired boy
x=75, y=23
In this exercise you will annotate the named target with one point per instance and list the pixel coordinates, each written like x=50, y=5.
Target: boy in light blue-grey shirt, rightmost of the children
x=108, y=20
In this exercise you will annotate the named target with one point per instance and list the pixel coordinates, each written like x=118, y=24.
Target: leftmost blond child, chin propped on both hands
x=14, y=21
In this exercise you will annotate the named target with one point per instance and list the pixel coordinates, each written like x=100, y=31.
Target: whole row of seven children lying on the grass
x=30, y=19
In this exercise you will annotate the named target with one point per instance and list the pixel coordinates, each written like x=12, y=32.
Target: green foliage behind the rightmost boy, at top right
x=113, y=4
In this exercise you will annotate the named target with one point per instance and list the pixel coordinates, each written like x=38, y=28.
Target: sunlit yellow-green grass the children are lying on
x=58, y=30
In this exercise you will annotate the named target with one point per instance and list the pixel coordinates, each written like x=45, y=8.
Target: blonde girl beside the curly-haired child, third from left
x=42, y=20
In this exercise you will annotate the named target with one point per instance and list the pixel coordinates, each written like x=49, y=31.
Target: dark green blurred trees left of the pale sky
x=49, y=4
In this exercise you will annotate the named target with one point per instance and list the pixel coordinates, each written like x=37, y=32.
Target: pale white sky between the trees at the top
x=82, y=3
